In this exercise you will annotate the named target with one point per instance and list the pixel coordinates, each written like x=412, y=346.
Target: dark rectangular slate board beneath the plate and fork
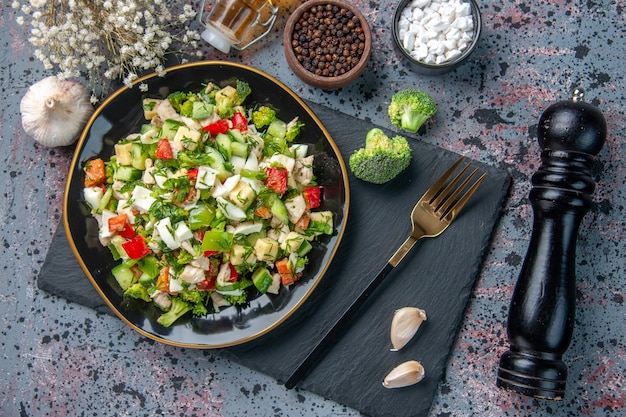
x=438, y=276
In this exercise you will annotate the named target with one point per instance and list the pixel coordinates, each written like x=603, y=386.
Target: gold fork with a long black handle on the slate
x=432, y=214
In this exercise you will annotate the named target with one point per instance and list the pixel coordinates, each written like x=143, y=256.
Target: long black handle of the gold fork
x=341, y=324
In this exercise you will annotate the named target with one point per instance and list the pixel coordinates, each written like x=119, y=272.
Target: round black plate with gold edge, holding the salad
x=121, y=114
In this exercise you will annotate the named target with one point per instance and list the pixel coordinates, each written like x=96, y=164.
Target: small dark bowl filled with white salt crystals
x=436, y=36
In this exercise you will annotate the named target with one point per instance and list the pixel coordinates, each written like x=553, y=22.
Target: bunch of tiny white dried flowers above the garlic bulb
x=105, y=39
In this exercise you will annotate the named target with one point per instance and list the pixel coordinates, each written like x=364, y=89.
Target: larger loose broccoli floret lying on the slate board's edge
x=382, y=158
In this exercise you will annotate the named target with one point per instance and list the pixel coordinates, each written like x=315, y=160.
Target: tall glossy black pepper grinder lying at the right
x=541, y=314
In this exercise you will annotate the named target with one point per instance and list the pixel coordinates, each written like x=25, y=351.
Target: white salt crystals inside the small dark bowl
x=436, y=31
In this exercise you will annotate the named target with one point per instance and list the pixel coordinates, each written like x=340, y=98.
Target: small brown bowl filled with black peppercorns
x=327, y=43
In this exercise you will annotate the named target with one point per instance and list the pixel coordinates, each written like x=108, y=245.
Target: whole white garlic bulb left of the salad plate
x=54, y=111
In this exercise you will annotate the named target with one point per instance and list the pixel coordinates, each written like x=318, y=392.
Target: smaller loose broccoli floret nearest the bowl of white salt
x=410, y=108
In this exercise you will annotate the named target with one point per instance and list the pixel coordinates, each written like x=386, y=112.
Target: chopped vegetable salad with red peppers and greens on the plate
x=209, y=205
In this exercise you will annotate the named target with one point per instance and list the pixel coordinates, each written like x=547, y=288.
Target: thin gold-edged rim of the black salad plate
x=75, y=160
